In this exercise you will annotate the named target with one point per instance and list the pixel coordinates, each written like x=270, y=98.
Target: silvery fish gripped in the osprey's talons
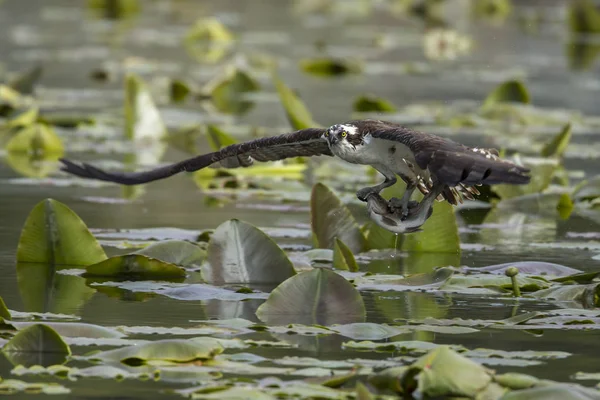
x=391, y=218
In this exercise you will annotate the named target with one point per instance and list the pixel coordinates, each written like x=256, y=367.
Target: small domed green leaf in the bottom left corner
x=36, y=339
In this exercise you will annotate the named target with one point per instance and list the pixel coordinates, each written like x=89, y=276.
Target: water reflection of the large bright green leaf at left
x=43, y=290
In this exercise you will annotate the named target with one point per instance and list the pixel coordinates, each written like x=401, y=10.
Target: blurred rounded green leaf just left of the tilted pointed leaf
x=227, y=90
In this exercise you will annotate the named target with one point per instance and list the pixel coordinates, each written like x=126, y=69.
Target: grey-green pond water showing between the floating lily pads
x=71, y=43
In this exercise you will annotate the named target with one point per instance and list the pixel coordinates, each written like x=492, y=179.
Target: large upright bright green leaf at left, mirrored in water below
x=54, y=234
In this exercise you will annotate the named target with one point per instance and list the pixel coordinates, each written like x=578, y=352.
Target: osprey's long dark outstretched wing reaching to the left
x=305, y=142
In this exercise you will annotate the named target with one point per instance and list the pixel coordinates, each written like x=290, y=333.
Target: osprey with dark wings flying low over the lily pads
x=438, y=167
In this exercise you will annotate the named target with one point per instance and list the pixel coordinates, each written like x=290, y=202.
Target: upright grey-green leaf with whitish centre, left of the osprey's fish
x=241, y=253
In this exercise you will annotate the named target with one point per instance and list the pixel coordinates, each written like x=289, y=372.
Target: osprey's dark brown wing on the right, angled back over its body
x=449, y=162
